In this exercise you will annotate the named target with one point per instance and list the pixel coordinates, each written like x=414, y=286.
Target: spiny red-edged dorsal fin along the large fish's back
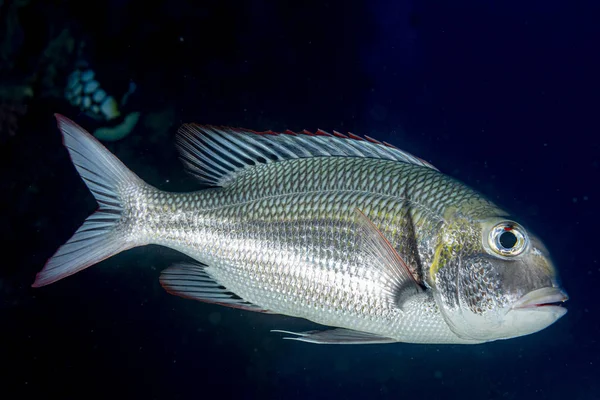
x=215, y=154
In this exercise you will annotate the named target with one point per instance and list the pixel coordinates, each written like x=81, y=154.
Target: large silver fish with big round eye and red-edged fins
x=367, y=240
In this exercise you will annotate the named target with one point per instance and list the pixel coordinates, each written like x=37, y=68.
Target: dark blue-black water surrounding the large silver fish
x=501, y=95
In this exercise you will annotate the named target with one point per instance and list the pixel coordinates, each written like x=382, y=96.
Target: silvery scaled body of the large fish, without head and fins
x=242, y=236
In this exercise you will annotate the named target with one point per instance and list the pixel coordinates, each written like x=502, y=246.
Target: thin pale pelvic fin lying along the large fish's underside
x=337, y=336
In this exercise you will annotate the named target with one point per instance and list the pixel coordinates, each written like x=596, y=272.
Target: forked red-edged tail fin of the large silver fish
x=102, y=235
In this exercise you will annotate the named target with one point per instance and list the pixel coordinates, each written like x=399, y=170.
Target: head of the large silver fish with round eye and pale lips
x=495, y=280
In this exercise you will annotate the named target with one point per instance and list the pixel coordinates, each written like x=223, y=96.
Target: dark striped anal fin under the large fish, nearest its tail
x=192, y=281
